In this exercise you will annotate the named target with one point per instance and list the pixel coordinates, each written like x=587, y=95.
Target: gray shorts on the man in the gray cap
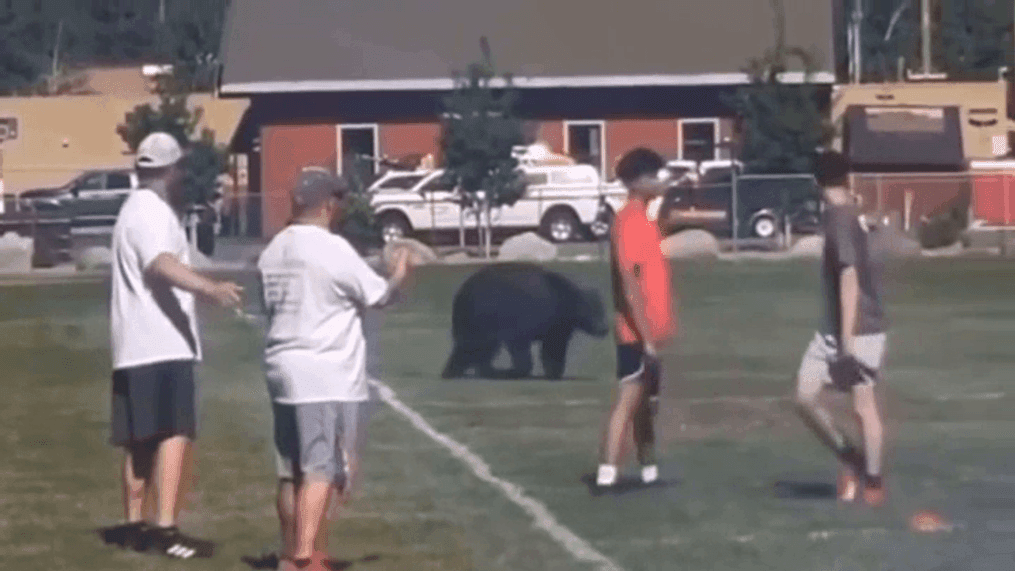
x=315, y=441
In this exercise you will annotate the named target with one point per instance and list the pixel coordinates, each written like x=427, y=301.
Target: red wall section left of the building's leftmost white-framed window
x=286, y=151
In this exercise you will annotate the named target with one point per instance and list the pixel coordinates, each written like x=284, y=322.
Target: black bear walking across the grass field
x=516, y=305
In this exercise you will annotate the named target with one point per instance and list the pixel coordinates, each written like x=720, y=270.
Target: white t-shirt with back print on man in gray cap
x=315, y=290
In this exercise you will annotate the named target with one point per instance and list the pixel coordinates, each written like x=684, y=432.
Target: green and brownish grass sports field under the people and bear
x=728, y=438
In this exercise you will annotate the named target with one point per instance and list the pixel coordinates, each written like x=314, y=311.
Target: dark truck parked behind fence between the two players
x=765, y=205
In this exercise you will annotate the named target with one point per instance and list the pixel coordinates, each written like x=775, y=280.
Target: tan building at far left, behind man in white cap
x=58, y=137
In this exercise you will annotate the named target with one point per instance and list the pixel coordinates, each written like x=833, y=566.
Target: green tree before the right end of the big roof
x=781, y=125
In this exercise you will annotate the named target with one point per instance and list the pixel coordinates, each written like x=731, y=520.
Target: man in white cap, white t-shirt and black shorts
x=155, y=348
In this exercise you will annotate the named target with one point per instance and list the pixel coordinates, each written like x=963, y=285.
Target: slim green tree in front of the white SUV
x=481, y=130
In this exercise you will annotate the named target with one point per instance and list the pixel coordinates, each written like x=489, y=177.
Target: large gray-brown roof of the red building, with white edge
x=275, y=46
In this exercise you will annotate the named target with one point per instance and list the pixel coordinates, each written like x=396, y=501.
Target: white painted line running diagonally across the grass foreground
x=544, y=519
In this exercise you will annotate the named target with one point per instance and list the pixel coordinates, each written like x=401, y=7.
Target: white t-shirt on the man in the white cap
x=151, y=322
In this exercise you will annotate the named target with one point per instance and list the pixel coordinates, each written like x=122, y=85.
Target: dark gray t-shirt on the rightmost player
x=848, y=244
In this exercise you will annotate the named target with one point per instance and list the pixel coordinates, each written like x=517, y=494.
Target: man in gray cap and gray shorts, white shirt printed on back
x=315, y=289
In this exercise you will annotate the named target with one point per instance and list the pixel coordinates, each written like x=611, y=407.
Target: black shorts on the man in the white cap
x=154, y=402
